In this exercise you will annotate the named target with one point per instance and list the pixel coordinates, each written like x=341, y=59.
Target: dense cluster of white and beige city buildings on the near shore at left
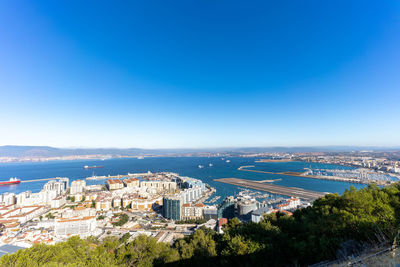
x=60, y=211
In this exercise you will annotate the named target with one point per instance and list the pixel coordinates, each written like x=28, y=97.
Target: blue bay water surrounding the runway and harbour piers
x=185, y=166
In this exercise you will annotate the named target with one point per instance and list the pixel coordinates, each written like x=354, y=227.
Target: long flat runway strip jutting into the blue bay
x=307, y=195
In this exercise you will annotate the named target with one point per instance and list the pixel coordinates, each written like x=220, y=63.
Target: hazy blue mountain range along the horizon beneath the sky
x=47, y=151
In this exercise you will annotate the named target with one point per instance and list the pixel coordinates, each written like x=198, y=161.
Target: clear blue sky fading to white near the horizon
x=158, y=74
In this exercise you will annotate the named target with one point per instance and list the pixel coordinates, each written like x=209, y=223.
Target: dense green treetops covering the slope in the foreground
x=334, y=227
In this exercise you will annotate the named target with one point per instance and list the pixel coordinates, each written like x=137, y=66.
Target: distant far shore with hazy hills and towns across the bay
x=271, y=154
